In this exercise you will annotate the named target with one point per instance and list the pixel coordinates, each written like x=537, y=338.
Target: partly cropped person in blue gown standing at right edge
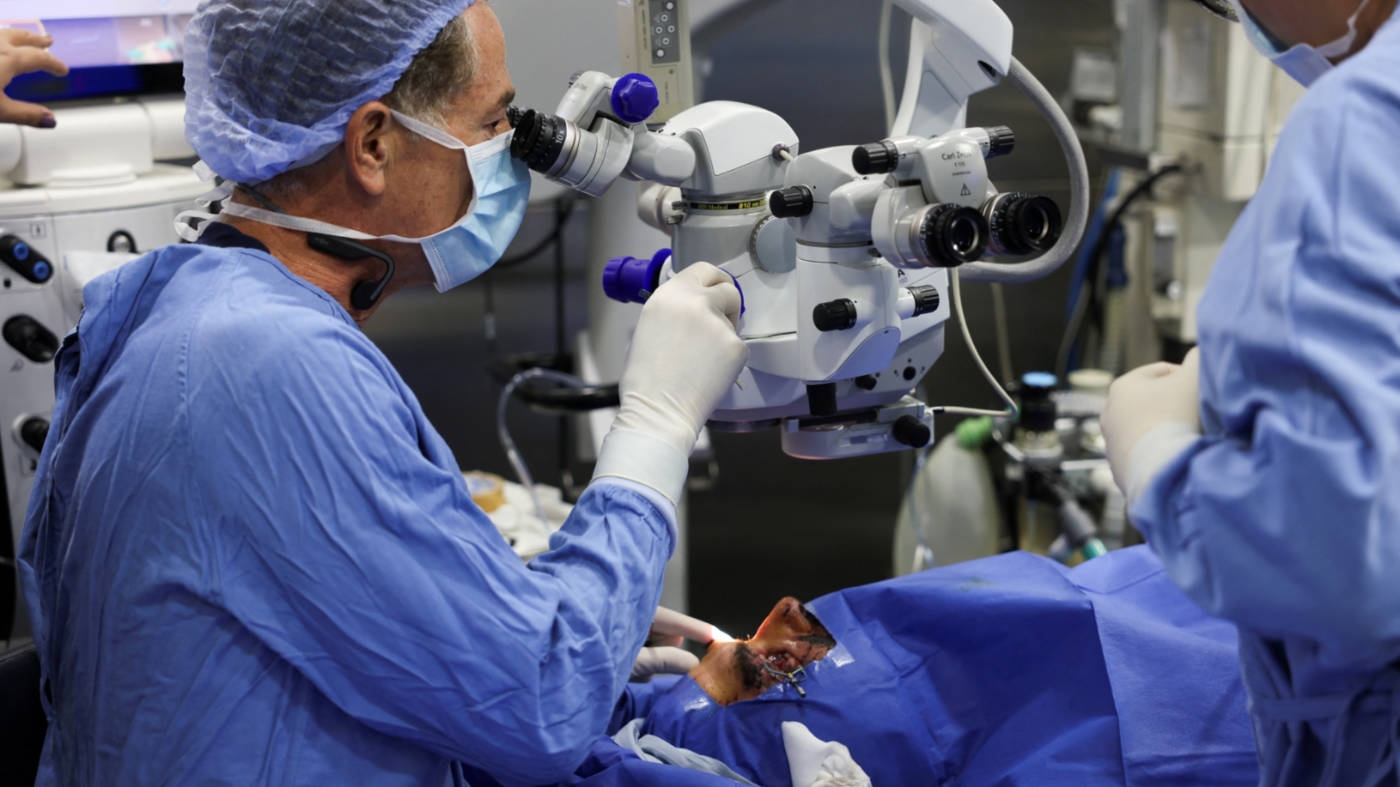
x=1265, y=468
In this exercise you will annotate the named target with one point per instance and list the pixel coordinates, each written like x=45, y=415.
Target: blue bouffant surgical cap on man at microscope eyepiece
x=272, y=86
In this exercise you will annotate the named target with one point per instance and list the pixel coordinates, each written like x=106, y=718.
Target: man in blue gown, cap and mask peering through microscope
x=250, y=558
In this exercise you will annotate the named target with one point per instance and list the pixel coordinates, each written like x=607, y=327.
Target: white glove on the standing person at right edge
x=1160, y=400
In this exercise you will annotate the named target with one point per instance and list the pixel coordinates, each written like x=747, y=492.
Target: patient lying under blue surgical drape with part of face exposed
x=1003, y=671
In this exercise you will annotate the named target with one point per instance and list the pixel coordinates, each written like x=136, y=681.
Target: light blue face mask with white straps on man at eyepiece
x=470, y=247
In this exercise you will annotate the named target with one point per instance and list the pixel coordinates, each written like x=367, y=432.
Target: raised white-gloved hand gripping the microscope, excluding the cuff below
x=685, y=356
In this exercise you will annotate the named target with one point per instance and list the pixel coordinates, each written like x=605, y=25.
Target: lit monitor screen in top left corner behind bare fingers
x=113, y=47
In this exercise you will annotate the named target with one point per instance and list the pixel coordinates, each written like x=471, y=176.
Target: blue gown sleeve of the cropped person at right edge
x=1286, y=517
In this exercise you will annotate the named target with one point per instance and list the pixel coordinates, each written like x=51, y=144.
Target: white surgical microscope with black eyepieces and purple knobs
x=842, y=254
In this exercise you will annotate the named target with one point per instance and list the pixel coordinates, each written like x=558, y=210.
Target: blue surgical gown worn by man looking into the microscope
x=250, y=559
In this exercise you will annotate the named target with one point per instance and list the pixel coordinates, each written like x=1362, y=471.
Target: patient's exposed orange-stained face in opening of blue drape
x=743, y=670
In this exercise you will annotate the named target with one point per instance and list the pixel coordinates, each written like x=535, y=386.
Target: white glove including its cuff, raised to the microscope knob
x=685, y=356
